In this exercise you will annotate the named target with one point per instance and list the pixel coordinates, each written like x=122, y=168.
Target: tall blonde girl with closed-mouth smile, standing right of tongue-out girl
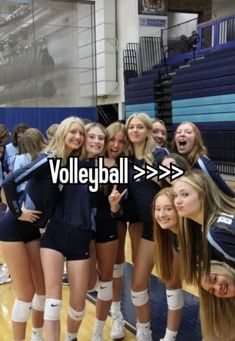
x=141, y=146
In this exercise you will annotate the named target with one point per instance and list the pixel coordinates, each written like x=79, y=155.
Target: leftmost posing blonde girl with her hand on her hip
x=19, y=228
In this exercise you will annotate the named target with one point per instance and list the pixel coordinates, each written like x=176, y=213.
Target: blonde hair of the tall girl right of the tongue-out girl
x=149, y=143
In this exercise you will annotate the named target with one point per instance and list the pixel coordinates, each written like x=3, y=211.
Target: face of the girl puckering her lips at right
x=187, y=200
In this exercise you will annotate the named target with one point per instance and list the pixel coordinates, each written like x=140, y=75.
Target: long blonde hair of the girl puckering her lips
x=194, y=249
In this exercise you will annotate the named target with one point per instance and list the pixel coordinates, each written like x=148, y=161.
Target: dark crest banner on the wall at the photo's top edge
x=152, y=7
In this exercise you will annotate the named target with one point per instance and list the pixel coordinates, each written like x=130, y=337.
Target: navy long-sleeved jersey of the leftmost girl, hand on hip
x=40, y=194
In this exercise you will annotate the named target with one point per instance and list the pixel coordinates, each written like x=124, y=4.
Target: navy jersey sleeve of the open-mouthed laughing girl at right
x=208, y=166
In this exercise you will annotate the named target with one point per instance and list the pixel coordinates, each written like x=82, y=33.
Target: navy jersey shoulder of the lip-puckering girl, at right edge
x=221, y=237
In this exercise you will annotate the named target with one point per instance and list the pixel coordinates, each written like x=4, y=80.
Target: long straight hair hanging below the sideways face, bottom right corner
x=217, y=317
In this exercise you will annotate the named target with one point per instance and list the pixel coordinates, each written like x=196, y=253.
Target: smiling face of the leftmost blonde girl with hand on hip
x=74, y=138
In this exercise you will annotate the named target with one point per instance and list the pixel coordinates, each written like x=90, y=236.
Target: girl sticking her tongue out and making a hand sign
x=106, y=235
